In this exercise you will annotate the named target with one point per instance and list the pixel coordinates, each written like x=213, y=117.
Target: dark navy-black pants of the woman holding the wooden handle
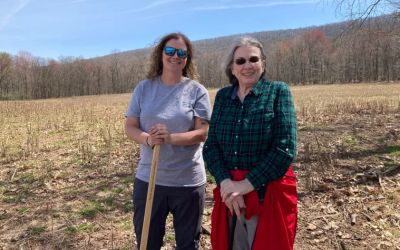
x=186, y=205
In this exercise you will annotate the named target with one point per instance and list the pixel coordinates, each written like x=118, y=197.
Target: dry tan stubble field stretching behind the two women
x=67, y=168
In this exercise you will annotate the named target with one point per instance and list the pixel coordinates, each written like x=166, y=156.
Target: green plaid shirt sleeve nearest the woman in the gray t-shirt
x=212, y=152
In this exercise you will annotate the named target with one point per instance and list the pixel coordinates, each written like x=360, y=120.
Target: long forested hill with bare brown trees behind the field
x=333, y=53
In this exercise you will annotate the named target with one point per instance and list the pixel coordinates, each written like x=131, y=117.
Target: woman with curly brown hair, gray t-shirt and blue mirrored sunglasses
x=170, y=109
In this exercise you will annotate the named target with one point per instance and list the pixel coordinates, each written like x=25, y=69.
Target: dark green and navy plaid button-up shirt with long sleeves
x=258, y=135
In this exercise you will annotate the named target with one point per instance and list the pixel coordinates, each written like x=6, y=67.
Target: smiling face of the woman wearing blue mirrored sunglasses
x=174, y=64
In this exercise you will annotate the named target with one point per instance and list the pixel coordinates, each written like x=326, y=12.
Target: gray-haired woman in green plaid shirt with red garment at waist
x=250, y=147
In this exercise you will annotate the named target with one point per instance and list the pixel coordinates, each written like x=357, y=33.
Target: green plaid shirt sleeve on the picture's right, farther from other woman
x=283, y=149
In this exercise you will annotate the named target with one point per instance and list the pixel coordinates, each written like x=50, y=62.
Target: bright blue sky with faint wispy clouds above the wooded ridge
x=89, y=28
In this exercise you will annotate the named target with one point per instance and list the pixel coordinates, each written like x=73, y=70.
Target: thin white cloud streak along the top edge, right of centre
x=254, y=5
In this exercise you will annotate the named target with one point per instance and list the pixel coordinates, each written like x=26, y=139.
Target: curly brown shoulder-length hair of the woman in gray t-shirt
x=156, y=65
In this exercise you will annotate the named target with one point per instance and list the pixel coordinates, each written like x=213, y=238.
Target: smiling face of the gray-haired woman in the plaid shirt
x=250, y=72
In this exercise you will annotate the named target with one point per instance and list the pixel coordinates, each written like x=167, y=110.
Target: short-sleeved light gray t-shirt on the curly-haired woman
x=175, y=106
